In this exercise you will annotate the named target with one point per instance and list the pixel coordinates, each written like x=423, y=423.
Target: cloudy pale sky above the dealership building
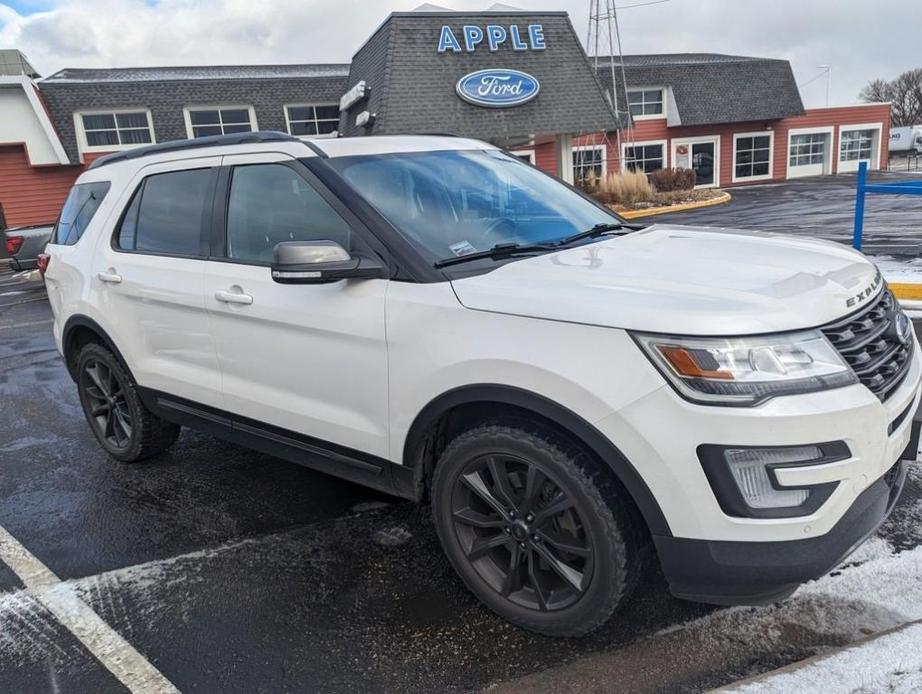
x=861, y=39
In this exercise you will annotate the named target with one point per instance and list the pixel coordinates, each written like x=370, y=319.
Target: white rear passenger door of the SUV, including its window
x=149, y=277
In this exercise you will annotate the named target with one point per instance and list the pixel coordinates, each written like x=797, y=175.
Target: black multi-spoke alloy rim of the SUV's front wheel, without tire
x=522, y=532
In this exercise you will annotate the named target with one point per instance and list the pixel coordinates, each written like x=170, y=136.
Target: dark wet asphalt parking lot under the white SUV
x=227, y=570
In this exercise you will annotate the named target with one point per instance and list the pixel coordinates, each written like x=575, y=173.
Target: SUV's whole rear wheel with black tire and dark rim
x=124, y=427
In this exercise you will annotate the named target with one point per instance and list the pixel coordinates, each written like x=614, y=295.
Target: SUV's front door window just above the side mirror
x=271, y=203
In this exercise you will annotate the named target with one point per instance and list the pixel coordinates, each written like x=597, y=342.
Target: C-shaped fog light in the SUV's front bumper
x=749, y=467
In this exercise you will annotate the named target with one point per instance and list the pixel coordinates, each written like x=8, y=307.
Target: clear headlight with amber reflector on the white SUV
x=746, y=371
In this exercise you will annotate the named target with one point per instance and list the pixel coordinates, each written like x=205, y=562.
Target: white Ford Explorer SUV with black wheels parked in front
x=432, y=317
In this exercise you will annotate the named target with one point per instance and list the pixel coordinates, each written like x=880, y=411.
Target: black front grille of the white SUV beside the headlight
x=869, y=343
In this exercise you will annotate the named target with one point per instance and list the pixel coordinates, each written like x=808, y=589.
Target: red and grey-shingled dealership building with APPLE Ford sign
x=519, y=79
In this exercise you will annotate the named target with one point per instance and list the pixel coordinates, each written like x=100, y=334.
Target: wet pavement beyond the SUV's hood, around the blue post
x=820, y=207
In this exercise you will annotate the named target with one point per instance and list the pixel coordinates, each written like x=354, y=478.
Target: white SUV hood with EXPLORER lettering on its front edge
x=683, y=280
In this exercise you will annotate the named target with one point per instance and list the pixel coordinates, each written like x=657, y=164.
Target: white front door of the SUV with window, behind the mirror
x=311, y=359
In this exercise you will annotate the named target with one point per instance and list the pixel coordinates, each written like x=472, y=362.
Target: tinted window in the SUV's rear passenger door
x=166, y=214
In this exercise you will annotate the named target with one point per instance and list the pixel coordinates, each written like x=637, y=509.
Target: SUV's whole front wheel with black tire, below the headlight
x=571, y=543
